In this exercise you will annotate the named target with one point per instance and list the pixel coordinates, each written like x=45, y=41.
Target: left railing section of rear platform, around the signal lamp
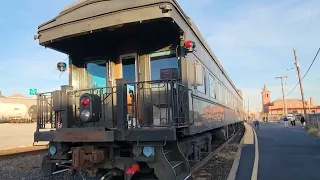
x=53, y=107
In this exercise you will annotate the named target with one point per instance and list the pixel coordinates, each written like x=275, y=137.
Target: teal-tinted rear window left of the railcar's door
x=96, y=74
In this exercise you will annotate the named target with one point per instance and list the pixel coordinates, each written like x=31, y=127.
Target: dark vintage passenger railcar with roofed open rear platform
x=146, y=95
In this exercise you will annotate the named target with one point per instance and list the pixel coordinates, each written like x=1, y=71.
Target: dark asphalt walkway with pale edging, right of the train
x=275, y=152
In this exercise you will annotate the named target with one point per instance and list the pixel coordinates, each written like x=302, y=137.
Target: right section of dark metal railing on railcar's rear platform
x=160, y=103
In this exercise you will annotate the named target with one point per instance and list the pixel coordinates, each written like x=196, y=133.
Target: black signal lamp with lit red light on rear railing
x=90, y=107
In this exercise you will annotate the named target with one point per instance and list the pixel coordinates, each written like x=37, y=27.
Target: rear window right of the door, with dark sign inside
x=161, y=62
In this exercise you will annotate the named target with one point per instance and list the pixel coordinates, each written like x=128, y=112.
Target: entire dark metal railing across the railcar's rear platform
x=162, y=103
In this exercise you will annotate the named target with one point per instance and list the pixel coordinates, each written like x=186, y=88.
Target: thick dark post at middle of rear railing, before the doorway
x=121, y=103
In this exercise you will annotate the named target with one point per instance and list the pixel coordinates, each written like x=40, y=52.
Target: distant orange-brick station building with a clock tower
x=275, y=109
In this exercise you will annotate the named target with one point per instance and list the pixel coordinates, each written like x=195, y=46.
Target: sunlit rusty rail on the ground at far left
x=21, y=152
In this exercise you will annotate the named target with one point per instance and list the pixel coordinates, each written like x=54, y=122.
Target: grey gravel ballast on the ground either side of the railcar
x=28, y=168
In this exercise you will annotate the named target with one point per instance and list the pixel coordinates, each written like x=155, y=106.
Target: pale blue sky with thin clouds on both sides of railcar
x=252, y=39
